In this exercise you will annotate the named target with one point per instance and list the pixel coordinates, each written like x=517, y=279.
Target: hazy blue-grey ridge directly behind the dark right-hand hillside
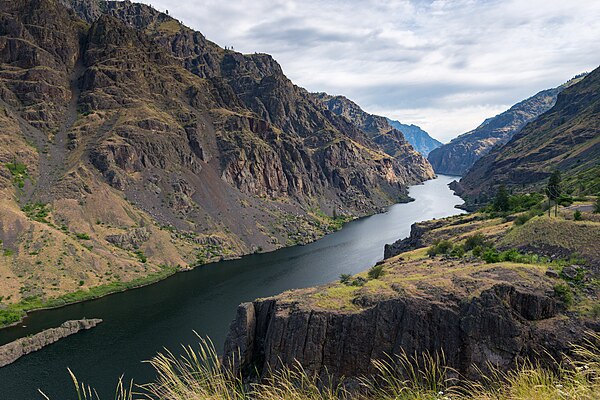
x=456, y=157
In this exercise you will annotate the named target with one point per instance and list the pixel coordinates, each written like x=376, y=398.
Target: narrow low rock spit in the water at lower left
x=12, y=351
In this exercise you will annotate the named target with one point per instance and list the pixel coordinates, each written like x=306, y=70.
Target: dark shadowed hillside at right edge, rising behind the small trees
x=567, y=138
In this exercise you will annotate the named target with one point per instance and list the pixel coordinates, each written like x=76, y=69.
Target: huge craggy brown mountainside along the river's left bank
x=131, y=147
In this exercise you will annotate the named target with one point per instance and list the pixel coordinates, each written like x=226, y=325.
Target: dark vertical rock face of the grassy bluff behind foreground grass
x=501, y=324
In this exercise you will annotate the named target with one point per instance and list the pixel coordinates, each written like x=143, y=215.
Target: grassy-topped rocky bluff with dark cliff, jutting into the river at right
x=475, y=312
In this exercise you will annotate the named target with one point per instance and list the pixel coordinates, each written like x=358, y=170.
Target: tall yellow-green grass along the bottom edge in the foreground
x=200, y=375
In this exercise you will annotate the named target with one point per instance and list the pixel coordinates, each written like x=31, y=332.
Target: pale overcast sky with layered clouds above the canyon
x=443, y=65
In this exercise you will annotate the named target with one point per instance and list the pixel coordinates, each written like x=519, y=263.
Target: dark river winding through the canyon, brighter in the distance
x=141, y=322
